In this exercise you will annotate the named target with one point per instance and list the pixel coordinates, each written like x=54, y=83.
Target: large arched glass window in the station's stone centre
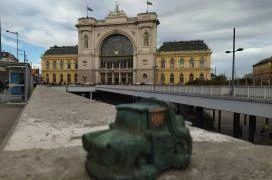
x=116, y=56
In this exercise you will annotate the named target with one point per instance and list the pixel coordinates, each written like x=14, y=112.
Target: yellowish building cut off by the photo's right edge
x=262, y=71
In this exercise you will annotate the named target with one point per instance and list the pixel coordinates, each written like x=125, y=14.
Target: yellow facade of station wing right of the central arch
x=181, y=66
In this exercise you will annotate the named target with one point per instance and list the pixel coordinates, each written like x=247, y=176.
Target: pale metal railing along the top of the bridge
x=253, y=92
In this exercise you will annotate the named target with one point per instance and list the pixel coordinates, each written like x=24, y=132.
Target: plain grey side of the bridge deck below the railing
x=256, y=107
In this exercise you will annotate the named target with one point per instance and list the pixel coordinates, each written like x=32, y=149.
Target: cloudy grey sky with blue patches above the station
x=44, y=23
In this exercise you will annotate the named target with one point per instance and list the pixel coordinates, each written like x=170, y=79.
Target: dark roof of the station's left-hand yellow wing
x=61, y=50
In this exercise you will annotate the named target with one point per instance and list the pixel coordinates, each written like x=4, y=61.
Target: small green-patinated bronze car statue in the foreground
x=146, y=138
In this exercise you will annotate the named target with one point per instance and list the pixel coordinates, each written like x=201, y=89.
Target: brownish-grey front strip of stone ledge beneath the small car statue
x=209, y=161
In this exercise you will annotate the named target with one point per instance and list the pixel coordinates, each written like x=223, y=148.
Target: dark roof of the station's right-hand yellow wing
x=184, y=46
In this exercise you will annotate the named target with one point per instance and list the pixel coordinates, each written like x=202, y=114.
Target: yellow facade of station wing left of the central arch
x=59, y=68
